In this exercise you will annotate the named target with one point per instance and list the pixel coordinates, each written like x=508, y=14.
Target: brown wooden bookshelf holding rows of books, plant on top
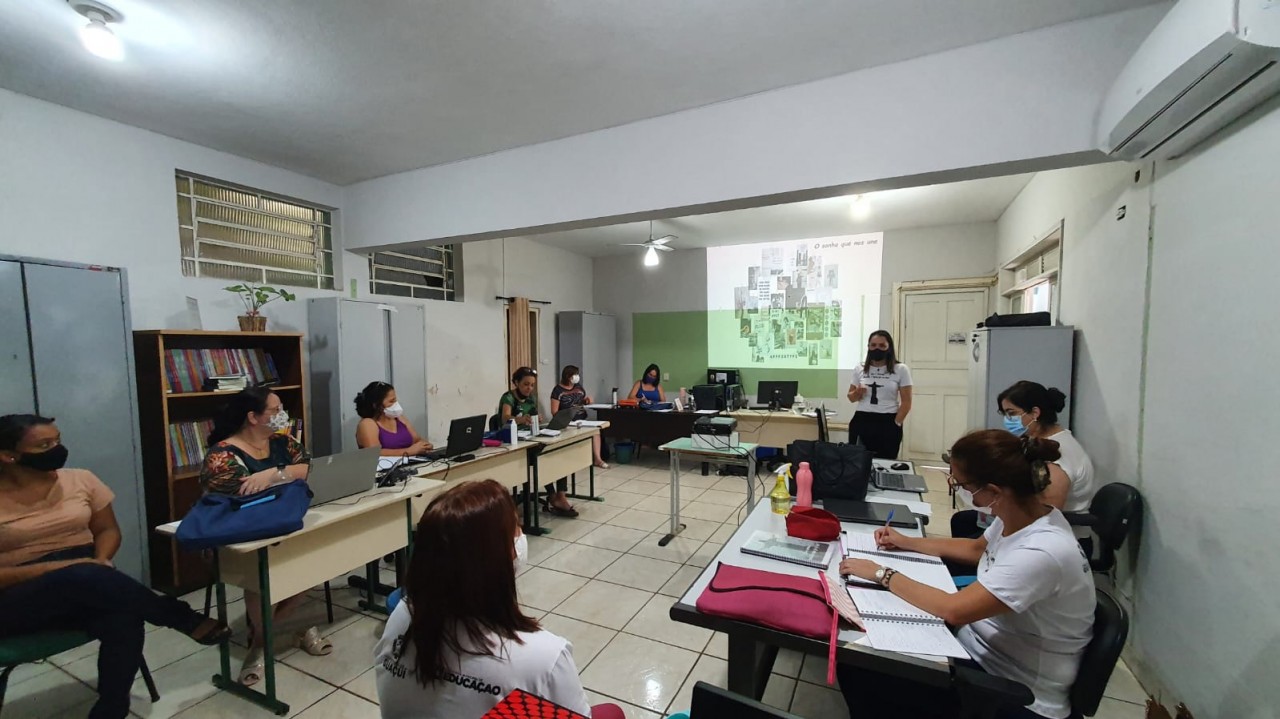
x=172, y=491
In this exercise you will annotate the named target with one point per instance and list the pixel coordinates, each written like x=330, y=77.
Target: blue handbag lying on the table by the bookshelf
x=218, y=520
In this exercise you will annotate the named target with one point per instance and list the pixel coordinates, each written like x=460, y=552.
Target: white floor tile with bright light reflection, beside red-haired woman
x=641, y=672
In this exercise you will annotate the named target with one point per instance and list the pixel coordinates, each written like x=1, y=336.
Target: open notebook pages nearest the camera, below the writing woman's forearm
x=893, y=625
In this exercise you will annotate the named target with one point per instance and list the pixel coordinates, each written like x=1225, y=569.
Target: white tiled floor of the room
x=602, y=581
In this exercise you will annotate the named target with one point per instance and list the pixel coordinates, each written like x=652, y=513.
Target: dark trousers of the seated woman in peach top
x=104, y=603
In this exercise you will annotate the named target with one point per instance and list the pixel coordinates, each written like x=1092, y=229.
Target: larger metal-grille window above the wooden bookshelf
x=236, y=233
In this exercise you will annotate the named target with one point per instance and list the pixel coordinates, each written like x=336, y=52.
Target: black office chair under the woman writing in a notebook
x=985, y=697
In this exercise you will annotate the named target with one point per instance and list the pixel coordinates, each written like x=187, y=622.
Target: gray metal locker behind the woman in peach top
x=70, y=356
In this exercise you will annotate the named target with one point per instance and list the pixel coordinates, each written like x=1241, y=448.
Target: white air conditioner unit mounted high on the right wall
x=1208, y=63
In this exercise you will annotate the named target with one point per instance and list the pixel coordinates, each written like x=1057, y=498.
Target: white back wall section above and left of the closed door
x=935, y=254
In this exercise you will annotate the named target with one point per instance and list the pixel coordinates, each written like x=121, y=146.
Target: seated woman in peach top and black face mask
x=58, y=535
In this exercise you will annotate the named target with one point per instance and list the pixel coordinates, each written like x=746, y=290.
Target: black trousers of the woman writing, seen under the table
x=874, y=695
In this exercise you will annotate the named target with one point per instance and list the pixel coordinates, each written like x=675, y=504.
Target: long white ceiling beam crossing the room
x=1017, y=99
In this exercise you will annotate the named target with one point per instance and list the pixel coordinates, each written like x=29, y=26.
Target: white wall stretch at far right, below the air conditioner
x=1208, y=615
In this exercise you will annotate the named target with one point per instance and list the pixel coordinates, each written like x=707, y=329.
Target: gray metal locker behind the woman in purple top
x=353, y=344
